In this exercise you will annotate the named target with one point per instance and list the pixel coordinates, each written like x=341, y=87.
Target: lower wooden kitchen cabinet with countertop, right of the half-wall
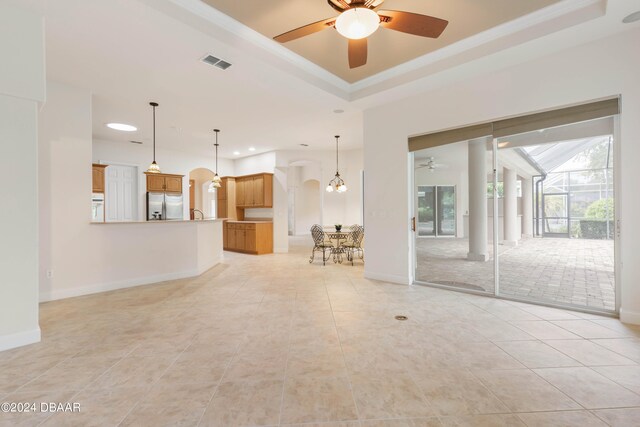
x=249, y=237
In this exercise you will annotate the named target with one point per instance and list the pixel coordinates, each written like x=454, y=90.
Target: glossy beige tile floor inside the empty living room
x=275, y=341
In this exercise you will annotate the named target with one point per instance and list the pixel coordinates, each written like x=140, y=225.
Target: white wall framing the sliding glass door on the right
x=600, y=69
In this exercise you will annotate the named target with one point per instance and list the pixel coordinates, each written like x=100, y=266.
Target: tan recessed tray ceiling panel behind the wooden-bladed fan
x=386, y=48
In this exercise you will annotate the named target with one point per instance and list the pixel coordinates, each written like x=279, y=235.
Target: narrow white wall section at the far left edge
x=21, y=89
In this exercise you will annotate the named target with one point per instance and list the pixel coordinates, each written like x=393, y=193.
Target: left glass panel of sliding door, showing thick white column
x=446, y=253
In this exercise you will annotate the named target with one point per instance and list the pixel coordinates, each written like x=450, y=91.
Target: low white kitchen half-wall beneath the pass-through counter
x=126, y=254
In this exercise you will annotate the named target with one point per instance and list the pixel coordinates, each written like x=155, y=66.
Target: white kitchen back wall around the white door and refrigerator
x=170, y=161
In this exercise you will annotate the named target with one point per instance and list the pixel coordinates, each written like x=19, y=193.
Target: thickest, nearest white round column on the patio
x=477, y=200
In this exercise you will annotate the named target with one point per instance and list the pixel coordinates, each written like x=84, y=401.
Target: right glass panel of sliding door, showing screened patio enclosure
x=568, y=256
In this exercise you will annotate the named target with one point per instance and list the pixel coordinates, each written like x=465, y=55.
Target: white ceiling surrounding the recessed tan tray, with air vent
x=130, y=52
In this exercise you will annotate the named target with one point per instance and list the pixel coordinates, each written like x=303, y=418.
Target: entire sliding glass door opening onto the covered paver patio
x=536, y=207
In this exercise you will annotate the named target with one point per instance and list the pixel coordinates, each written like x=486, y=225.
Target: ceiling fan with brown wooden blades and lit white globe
x=359, y=19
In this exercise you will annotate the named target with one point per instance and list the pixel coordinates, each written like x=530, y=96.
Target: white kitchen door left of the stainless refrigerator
x=121, y=193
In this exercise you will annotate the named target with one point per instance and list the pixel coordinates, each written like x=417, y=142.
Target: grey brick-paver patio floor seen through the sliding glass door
x=567, y=271
